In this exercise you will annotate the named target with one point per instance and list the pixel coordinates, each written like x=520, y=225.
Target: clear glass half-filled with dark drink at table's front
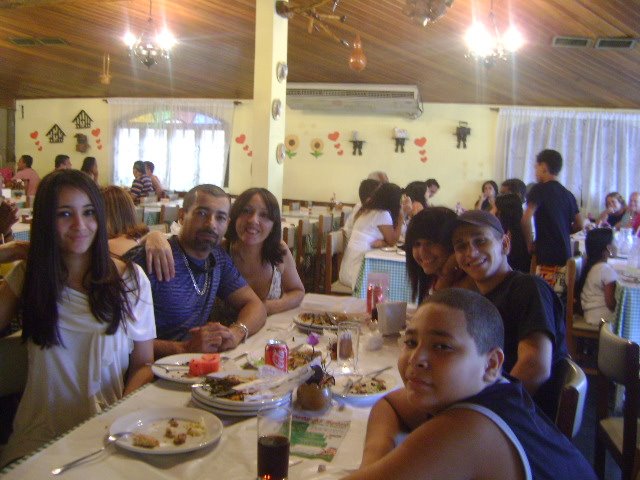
x=274, y=434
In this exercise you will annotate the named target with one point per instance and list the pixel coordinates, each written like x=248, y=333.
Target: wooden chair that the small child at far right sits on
x=582, y=337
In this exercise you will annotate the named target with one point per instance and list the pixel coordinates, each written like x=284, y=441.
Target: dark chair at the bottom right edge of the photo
x=618, y=364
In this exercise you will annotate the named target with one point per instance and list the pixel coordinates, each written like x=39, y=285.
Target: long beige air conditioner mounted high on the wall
x=400, y=100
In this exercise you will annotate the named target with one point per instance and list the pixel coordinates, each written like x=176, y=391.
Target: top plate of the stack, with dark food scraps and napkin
x=217, y=390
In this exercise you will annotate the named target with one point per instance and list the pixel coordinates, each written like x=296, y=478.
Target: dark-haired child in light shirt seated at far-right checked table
x=597, y=285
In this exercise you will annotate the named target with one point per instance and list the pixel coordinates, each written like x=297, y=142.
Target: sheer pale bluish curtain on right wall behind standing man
x=601, y=150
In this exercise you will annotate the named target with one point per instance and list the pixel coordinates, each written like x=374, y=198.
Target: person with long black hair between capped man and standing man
x=509, y=212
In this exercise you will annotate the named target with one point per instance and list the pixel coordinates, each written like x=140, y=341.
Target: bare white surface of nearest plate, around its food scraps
x=154, y=422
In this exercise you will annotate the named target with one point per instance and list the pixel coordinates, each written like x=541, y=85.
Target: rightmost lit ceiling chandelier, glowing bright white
x=489, y=45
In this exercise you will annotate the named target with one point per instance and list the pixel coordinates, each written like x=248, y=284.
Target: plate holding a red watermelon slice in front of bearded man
x=186, y=367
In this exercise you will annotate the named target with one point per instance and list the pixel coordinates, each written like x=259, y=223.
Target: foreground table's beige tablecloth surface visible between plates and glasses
x=234, y=455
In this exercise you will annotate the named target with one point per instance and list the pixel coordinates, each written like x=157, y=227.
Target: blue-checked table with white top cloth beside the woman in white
x=389, y=263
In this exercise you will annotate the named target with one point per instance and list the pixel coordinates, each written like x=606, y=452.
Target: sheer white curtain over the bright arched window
x=188, y=140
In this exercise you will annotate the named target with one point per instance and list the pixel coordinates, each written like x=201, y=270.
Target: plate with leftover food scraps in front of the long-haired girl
x=169, y=430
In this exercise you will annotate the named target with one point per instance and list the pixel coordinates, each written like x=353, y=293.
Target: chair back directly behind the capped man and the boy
x=572, y=398
